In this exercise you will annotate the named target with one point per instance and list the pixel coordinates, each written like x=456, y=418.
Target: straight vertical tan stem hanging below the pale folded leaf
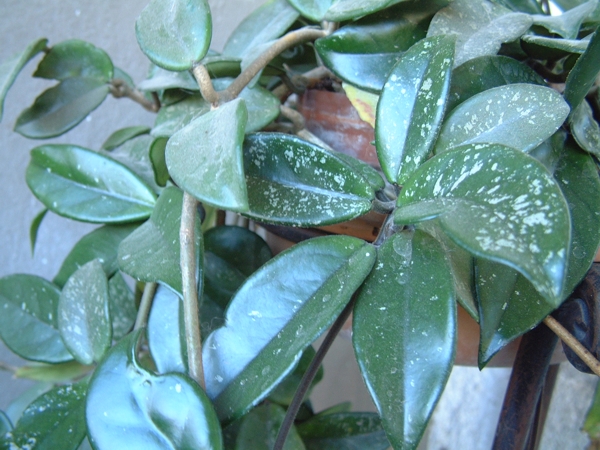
x=187, y=237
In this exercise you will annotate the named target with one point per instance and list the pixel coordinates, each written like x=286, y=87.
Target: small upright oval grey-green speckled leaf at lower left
x=83, y=313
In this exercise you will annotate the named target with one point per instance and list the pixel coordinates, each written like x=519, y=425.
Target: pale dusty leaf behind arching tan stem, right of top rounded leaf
x=266, y=23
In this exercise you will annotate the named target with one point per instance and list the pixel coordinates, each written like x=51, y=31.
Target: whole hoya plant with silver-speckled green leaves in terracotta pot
x=167, y=329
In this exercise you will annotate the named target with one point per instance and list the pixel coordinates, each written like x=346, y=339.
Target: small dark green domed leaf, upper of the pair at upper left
x=75, y=58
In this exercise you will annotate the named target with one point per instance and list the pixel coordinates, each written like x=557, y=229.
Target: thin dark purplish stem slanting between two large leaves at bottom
x=310, y=374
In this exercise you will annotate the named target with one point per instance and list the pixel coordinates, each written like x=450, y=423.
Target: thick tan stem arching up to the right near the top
x=289, y=40
